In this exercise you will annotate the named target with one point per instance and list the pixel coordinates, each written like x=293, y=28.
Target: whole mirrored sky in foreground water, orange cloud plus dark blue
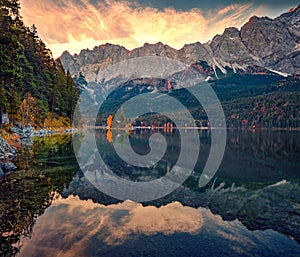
x=74, y=227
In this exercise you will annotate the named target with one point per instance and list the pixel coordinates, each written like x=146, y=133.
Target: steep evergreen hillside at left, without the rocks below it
x=33, y=86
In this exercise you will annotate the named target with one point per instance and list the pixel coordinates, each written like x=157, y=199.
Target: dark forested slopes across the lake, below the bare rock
x=248, y=101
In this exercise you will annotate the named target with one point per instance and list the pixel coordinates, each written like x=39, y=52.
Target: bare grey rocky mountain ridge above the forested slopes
x=262, y=45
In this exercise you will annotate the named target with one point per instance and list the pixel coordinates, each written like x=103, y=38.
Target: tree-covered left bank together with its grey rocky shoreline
x=37, y=96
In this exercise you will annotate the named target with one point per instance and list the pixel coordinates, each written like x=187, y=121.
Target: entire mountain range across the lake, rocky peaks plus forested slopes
x=255, y=73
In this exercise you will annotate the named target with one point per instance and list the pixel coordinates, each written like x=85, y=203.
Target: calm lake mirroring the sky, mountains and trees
x=251, y=206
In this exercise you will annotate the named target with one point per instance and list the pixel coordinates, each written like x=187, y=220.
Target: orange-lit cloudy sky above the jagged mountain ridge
x=74, y=25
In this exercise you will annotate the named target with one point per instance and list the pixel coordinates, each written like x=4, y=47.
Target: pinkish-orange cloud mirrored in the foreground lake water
x=69, y=226
